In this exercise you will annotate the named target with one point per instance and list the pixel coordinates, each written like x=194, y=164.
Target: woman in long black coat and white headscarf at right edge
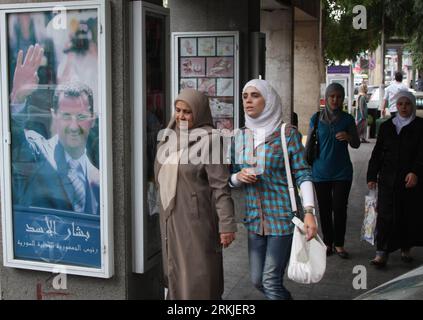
x=396, y=169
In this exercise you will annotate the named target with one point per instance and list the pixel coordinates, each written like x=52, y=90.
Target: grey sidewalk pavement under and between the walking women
x=337, y=284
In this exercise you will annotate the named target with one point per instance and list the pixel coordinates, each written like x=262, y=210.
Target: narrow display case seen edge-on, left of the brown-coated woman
x=150, y=87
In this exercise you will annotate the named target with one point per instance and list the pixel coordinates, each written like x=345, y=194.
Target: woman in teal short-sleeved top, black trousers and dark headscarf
x=332, y=170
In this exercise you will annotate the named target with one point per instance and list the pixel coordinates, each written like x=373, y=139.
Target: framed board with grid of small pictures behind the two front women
x=209, y=62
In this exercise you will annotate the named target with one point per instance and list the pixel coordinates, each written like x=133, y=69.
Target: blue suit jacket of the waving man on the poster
x=40, y=174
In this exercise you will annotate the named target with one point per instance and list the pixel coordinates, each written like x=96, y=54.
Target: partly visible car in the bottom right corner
x=408, y=286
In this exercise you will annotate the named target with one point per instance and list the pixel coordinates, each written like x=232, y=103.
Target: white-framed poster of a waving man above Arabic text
x=56, y=186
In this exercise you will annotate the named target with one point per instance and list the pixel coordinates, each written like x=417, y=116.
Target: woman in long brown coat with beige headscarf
x=197, y=215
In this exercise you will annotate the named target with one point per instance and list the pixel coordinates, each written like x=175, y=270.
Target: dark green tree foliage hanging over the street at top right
x=401, y=18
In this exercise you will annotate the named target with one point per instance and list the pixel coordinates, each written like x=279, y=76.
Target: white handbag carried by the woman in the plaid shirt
x=307, y=263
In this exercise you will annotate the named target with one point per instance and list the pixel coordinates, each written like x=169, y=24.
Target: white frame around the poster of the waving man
x=106, y=248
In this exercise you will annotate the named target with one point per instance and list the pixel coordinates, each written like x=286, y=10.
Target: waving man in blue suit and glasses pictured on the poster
x=53, y=173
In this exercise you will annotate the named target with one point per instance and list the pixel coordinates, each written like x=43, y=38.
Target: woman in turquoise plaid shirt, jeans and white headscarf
x=258, y=166
